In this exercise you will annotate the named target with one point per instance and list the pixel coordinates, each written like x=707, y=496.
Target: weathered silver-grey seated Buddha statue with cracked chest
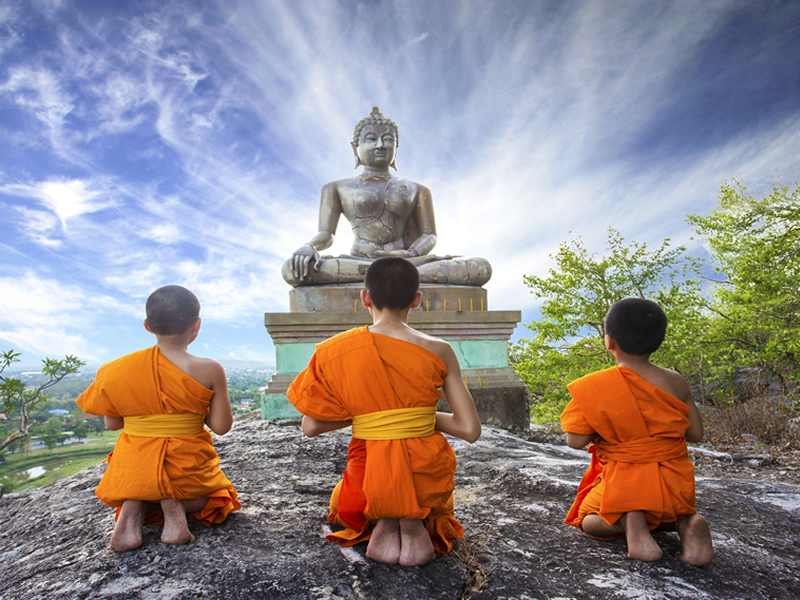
x=389, y=216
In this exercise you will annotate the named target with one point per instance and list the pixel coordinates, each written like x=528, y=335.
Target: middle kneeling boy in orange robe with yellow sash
x=385, y=381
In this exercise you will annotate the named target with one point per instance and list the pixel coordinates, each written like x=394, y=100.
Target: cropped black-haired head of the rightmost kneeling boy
x=637, y=325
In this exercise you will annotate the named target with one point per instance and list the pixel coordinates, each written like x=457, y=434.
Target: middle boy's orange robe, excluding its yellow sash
x=356, y=373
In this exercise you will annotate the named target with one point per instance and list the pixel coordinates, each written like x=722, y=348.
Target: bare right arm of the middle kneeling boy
x=463, y=422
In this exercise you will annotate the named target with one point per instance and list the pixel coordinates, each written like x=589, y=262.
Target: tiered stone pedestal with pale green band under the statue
x=457, y=314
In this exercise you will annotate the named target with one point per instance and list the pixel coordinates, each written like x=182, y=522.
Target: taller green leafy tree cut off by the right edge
x=756, y=244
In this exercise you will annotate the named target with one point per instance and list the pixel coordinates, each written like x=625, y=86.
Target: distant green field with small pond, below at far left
x=22, y=470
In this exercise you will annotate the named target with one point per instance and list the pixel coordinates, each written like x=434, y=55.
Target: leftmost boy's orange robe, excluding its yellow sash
x=154, y=468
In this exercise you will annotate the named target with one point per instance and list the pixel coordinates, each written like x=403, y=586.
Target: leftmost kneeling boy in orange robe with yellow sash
x=164, y=466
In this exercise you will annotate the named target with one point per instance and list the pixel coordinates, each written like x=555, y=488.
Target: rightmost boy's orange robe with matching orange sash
x=640, y=461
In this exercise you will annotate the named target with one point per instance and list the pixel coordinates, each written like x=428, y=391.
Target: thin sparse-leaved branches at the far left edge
x=18, y=402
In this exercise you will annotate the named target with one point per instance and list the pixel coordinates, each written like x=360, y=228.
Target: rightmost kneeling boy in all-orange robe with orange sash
x=639, y=417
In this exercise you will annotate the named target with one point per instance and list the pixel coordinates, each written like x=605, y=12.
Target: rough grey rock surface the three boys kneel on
x=512, y=494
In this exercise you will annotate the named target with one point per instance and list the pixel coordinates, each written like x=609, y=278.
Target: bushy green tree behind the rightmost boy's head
x=568, y=339
